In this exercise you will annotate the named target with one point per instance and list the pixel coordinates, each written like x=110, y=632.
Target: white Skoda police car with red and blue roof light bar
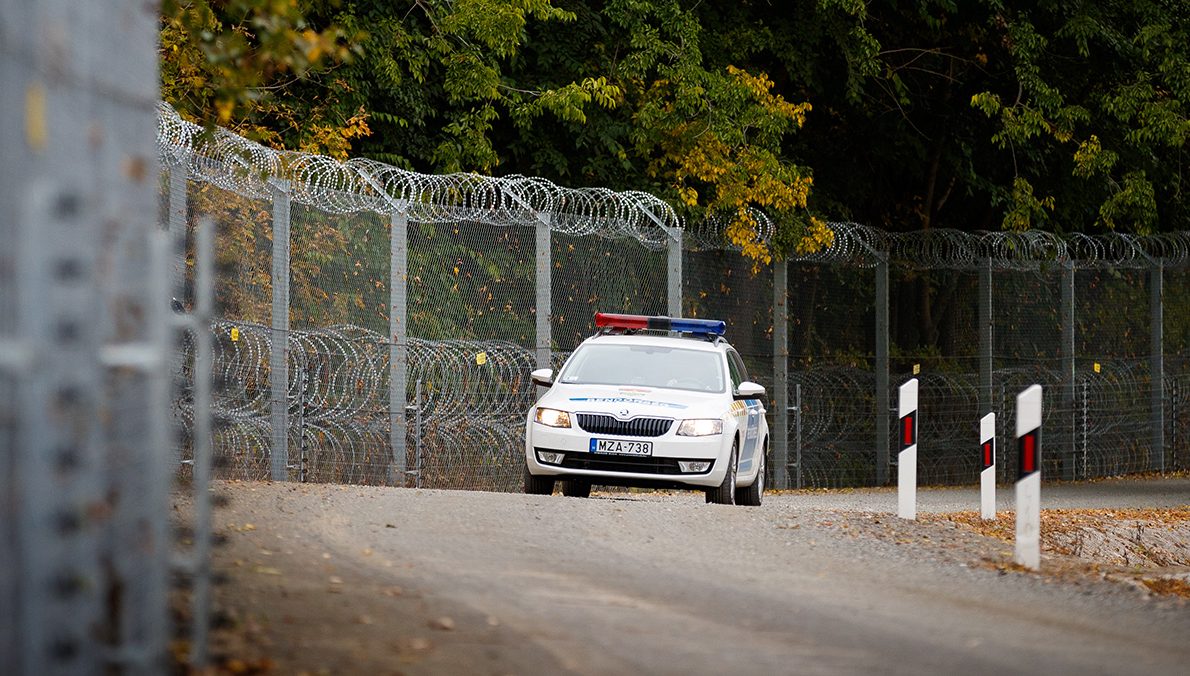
x=650, y=402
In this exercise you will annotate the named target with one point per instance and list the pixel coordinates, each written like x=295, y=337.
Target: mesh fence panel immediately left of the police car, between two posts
x=472, y=309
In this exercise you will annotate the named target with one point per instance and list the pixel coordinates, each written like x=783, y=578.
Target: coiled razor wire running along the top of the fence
x=245, y=167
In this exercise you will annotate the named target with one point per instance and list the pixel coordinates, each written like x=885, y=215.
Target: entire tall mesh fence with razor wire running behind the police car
x=379, y=327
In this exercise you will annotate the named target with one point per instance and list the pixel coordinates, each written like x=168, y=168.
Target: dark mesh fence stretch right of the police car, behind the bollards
x=976, y=318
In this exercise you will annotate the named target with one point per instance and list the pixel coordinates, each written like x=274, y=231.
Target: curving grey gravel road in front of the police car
x=361, y=580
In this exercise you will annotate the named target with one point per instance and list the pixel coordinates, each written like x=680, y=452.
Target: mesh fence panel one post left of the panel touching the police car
x=339, y=409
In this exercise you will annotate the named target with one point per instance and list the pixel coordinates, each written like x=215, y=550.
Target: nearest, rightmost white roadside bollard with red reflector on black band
x=1029, y=478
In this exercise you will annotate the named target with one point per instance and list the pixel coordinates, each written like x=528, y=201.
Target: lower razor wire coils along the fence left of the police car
x=473, y=400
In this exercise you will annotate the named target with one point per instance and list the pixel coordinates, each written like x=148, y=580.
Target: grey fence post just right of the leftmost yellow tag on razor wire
x=279, y=347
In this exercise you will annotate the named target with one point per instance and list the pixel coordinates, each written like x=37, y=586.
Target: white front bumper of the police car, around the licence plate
x=661, y=468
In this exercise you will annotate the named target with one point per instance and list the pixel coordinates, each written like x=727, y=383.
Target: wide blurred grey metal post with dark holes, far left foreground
x=58, y=453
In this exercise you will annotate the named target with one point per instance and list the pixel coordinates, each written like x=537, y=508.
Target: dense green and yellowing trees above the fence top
x=905, y=115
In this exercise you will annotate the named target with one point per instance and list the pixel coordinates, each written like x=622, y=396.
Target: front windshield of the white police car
x=647, y=366
